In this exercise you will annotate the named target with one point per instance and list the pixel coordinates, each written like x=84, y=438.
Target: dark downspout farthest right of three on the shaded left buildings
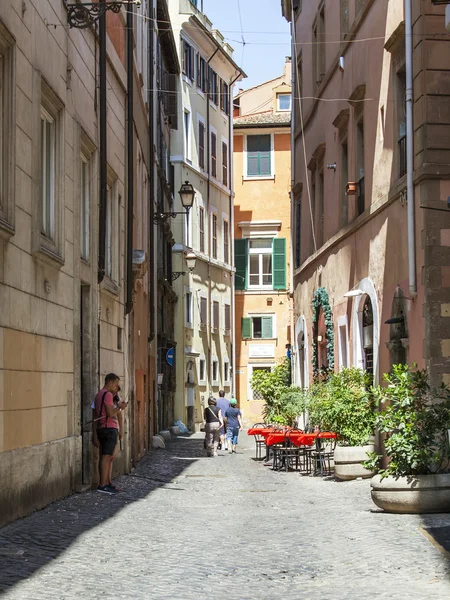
x=151, y=186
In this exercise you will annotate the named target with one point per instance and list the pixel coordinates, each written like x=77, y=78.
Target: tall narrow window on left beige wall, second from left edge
x=48, y=174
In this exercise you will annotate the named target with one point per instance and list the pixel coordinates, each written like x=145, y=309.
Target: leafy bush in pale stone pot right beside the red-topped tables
x=344, y=404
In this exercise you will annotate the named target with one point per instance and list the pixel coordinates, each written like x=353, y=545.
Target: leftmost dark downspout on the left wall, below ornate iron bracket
x=102, y=146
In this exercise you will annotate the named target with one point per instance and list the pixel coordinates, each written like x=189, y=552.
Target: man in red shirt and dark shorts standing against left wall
x=107, y=420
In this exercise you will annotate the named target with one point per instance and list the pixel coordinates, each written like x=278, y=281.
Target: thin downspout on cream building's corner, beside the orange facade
x=231, y=232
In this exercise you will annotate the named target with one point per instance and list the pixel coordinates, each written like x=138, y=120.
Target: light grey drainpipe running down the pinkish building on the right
x=409, y=150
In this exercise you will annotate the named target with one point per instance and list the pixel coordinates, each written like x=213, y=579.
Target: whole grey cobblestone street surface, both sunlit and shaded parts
x=188, y=527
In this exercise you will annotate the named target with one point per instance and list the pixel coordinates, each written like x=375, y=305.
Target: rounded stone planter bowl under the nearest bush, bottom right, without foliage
x=419, y=494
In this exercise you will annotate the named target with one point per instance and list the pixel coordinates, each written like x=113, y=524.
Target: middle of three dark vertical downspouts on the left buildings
x=130, y=160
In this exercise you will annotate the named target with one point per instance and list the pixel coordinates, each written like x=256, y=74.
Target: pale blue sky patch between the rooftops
x=264, y=30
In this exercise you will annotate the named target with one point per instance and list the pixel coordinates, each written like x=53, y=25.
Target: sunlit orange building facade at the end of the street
x=262, y=177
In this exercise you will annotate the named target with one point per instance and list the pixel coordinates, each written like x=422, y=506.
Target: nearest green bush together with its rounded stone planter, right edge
x=415, y=419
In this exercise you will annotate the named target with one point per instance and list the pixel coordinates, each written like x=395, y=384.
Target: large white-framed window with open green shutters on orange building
x=252, y=260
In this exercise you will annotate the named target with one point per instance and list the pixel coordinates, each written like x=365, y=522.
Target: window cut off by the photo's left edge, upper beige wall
x=7, y=130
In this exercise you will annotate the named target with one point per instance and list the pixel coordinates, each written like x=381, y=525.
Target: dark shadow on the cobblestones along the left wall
x=29, y=544
